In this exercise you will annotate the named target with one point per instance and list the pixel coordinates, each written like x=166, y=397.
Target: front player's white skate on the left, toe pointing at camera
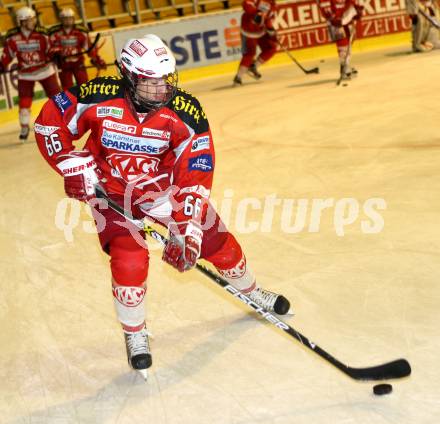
x=138, y=351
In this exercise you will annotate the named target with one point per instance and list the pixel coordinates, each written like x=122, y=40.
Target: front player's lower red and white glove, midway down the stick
x=184, y=245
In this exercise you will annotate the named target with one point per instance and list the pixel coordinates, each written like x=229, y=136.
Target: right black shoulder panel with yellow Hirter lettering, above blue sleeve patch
x=189, y=110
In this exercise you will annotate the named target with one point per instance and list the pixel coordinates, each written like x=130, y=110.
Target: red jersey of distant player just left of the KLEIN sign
x=266, y=9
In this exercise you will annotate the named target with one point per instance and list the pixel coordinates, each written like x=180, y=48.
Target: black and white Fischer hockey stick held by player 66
x=395, y=369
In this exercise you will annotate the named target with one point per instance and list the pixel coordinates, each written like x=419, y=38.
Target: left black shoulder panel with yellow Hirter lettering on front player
x=99, y=90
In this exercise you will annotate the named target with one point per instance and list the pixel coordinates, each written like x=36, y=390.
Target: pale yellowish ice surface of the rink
x=366, y=298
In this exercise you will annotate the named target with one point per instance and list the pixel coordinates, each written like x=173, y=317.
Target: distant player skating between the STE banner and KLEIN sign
x=257, y=30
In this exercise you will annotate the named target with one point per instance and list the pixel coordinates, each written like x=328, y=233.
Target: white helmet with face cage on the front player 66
x=144, y=59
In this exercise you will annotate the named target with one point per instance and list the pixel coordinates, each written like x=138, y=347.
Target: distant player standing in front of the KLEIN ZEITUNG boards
x=341, y=16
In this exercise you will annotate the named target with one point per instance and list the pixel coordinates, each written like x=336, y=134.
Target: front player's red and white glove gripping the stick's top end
x=80, y=174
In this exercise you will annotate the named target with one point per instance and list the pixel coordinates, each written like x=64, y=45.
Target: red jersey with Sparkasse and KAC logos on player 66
x=171, y=147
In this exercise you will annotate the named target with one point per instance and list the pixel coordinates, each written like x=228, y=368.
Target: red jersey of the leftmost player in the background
x=31, y=51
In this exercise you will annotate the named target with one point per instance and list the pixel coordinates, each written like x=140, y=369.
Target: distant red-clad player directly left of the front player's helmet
x=69, y=39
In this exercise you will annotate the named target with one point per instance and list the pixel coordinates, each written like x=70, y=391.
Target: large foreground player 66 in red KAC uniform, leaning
x=151, y=148
